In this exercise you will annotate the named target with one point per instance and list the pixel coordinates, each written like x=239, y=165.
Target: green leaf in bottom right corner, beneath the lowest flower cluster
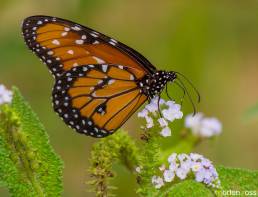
x=231, y=180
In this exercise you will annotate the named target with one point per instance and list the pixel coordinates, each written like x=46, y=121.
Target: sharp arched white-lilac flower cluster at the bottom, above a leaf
x=181, y=165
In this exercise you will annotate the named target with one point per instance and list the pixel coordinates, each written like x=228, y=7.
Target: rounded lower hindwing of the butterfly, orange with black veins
x=97, y=99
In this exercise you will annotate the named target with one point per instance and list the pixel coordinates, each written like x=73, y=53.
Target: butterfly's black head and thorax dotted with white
x=153, y=85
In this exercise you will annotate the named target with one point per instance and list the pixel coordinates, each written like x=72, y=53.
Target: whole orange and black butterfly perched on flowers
x=99, y=81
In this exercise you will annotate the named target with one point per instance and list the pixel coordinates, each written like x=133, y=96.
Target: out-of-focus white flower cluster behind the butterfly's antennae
x=203, y=126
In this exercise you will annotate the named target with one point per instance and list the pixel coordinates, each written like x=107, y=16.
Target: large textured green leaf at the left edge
x=28, y=164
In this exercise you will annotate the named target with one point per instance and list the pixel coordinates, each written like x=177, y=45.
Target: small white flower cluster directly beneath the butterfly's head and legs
x=169, y=110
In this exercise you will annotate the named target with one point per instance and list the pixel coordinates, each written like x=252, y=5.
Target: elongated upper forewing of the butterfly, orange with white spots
x=62, y=45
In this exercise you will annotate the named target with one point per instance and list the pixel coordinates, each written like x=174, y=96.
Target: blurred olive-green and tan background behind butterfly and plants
x=215, y=43
